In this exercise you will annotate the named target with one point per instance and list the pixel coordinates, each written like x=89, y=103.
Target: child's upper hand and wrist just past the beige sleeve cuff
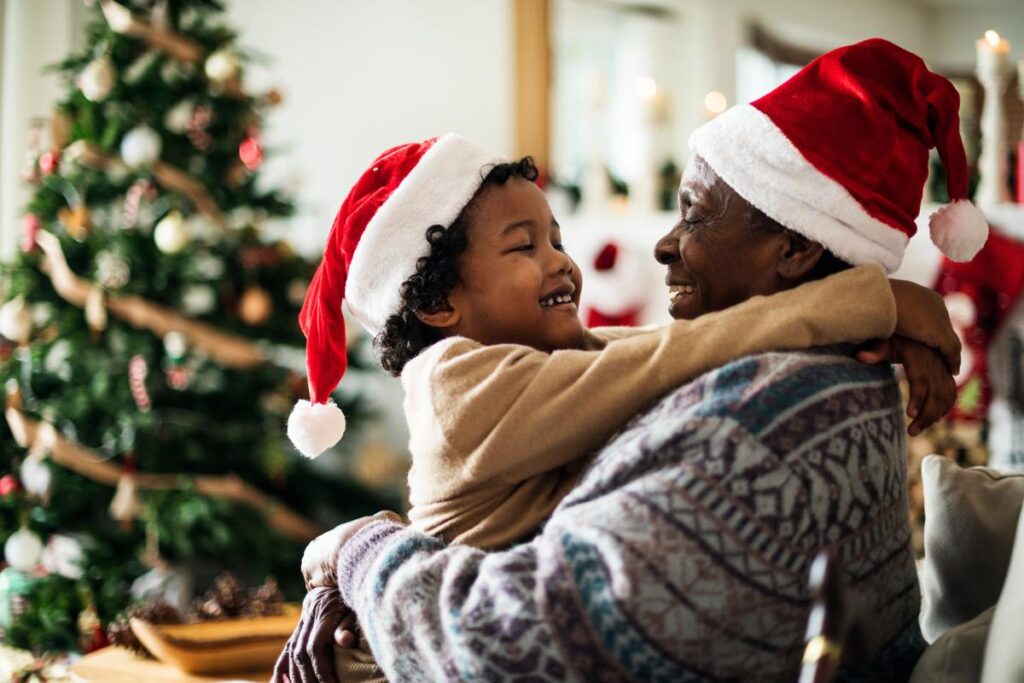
x=922, y=317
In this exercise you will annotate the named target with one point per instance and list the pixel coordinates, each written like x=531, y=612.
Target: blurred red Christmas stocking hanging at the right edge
x=993, y=282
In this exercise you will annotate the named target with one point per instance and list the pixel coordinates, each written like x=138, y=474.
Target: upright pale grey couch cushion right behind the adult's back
x=970, y=521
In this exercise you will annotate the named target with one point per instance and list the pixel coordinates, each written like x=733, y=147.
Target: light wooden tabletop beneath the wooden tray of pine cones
x=115, y=665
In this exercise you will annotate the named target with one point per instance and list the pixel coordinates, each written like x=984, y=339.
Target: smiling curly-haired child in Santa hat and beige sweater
x=506, y=392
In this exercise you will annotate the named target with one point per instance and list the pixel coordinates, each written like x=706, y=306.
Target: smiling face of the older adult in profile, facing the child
x=718, y=254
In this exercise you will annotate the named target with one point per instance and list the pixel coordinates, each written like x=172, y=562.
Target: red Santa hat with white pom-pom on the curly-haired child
x=375, y=242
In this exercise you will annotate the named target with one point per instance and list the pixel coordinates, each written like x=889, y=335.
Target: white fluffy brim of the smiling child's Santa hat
x=435, y=193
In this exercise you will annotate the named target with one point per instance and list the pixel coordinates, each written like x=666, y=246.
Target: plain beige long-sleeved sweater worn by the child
x=499, y=434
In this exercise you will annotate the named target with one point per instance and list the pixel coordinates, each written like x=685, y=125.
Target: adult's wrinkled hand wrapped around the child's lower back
x=309, y=655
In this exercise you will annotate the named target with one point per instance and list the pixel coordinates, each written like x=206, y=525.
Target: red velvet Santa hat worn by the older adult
x=839, y=153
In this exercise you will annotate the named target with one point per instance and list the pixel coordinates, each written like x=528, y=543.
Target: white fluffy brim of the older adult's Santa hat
x=751, y=154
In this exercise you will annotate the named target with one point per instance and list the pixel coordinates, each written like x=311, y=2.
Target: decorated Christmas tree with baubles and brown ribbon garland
x=149, y=344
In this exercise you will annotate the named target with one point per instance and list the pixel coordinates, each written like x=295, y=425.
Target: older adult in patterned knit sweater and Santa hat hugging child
x=684, y=551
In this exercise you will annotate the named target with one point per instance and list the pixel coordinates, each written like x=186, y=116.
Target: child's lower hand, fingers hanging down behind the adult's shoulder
x=933, y=391
